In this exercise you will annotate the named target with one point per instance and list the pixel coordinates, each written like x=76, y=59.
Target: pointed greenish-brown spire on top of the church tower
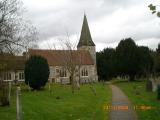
x=85, y=38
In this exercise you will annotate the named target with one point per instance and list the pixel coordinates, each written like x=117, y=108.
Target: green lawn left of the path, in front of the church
x=42, y=105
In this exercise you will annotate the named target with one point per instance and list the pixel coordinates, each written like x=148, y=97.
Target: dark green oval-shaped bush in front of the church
x=36, y=72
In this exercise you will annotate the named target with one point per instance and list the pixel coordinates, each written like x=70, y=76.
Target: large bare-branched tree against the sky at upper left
x=16, y=33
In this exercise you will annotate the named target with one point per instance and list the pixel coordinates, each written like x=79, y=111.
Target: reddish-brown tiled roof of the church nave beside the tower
x=60, y=57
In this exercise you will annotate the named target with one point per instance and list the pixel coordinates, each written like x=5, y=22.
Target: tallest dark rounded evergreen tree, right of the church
x=127, y=61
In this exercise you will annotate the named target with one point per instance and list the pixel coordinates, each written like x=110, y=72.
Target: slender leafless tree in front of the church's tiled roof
x=72, y=62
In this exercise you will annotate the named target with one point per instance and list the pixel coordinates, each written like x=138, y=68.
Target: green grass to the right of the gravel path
x=144, y=99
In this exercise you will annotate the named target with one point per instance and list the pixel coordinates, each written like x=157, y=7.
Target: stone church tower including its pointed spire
x=86, y=43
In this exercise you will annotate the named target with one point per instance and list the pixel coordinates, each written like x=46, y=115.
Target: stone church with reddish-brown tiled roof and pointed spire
x=84, y=59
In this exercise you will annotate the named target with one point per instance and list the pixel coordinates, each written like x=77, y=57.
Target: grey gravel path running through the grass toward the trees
x=121, y=108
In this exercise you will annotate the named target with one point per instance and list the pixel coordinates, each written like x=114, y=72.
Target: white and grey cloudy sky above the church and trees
x=109, y=21
